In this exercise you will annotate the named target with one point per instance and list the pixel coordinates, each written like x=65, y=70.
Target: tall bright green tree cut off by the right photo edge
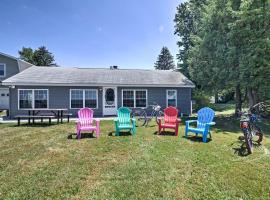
x=251, y=31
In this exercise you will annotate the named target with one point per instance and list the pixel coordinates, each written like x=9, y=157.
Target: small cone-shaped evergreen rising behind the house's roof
x=165, y=60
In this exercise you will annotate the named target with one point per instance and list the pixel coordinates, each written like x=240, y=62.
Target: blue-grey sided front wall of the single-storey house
x=59, y=97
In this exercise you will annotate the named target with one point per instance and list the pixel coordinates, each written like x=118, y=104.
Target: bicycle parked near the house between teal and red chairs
x=141, y=117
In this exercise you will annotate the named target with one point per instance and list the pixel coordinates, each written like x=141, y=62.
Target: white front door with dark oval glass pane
x=109, y=100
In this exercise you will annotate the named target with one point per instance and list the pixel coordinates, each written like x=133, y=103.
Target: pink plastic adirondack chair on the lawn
x=85, y=122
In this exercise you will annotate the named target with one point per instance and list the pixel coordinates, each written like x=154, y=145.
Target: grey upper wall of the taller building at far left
x=11, y=66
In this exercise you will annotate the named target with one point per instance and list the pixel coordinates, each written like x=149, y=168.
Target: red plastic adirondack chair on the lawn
x=170, y=120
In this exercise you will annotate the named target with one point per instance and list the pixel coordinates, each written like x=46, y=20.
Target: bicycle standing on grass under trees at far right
x=250, y=128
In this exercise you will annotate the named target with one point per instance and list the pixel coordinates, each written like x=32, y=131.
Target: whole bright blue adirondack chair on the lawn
x=205, y=120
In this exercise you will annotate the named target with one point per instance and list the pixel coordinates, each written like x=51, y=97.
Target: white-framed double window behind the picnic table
x=33, y=99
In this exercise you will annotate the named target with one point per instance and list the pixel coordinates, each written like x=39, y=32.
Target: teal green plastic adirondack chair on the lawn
x=124, y=122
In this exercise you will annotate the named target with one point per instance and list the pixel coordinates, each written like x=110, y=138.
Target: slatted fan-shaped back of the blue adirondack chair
x=205, y=115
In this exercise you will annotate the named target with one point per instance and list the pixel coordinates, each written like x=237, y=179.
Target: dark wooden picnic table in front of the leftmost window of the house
x=58, y=113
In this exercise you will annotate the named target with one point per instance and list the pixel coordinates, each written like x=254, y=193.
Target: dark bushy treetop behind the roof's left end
x=39, y=57
